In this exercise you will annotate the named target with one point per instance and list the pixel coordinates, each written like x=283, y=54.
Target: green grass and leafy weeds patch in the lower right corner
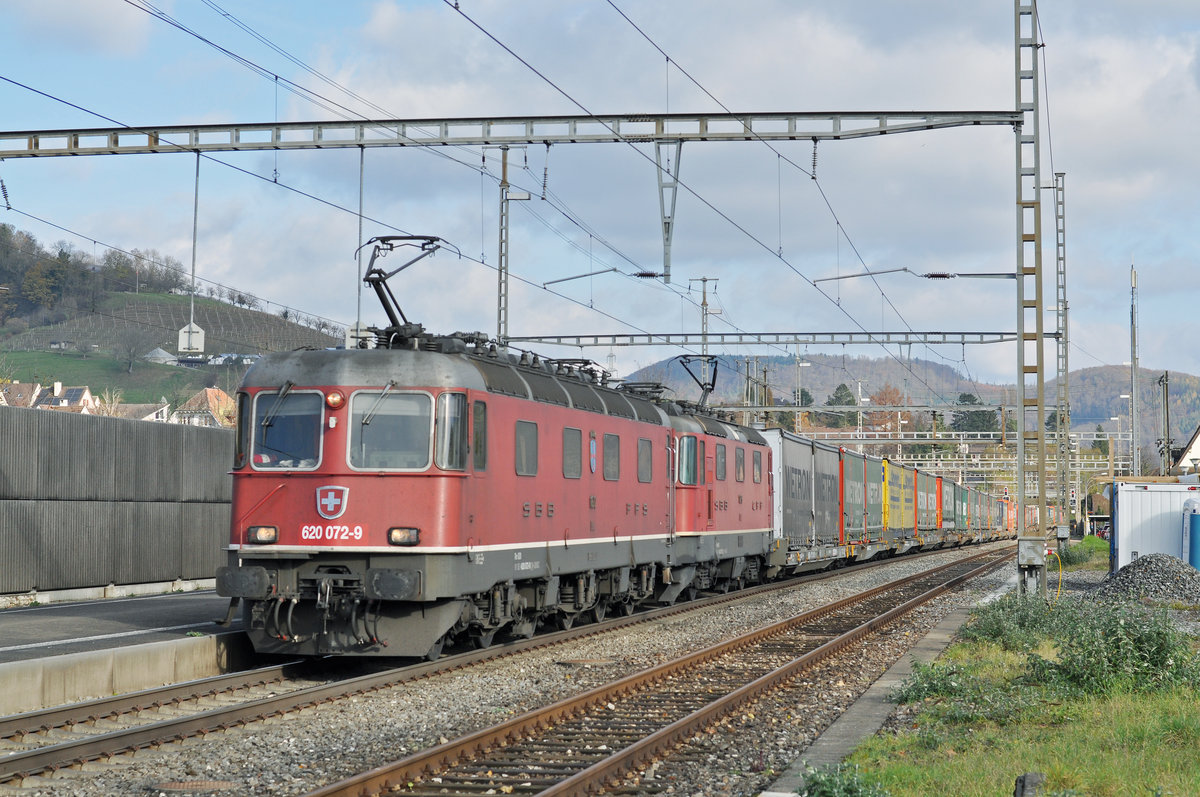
x=1102, y=698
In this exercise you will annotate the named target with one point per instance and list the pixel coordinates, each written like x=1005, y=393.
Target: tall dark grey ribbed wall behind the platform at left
x=88, y=502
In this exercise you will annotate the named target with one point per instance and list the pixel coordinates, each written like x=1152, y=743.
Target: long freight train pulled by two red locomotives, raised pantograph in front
x=435, y=490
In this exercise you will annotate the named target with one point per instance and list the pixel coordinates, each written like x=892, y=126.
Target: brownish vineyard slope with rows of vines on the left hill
x=226, y=327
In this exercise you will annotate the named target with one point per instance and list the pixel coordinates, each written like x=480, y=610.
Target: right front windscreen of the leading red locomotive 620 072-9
x=391, y=430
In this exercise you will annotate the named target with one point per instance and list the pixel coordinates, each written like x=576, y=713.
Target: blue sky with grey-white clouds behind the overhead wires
x=1121, y=113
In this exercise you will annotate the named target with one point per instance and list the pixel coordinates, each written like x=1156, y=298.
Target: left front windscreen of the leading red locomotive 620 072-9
x=287, y=429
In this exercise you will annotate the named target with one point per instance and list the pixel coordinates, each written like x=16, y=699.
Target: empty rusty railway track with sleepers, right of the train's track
x=595, y=741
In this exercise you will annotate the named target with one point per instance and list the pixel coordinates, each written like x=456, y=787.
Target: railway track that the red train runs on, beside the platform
x=46, y=741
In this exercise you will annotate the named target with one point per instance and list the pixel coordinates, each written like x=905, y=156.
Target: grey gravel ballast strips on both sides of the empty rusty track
x=305, y=751
